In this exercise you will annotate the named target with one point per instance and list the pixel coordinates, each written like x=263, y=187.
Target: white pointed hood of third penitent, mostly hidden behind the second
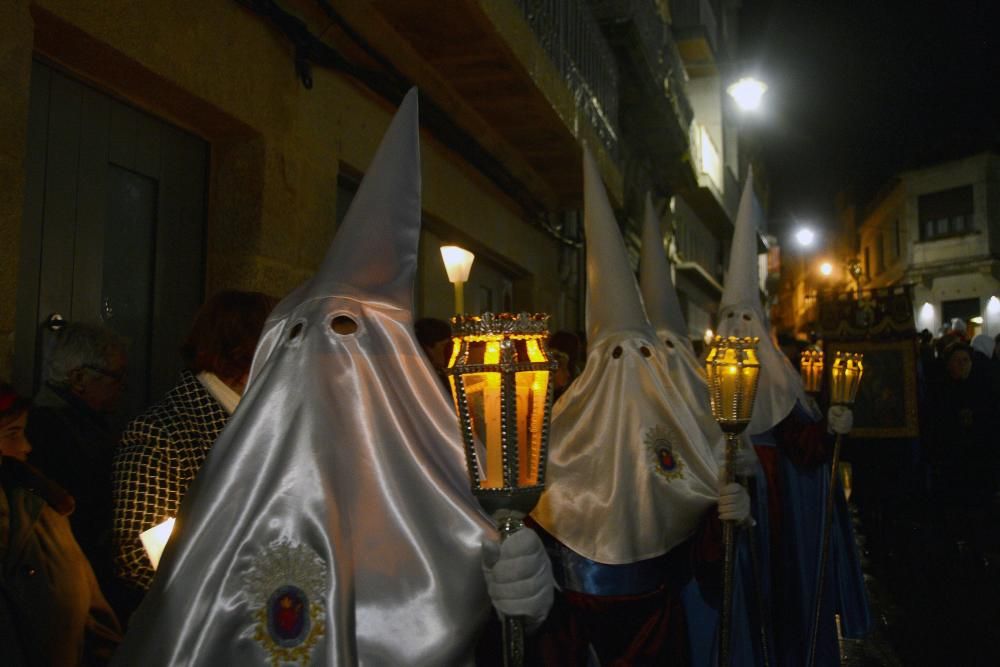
x=664, y=311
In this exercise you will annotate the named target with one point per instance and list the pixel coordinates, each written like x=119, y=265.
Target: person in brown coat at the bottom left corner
x=52, y=612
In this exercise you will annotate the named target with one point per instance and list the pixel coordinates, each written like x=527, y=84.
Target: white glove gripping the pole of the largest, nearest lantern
x=519, y=577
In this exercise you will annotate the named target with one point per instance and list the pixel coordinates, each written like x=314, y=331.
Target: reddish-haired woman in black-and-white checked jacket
x=162, y=450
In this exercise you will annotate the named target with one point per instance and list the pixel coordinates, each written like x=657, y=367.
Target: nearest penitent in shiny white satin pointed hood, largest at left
x=333, y=522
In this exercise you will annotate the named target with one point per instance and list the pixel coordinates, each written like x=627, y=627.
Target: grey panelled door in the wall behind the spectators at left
x=113, y=230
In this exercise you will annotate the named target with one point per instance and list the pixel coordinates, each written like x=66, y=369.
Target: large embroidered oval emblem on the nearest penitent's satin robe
x=287, y=586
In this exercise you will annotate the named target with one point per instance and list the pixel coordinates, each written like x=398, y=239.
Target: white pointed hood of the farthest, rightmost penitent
x=741, y=314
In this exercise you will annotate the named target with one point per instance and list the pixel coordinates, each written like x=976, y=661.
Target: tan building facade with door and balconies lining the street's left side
x=156, y=152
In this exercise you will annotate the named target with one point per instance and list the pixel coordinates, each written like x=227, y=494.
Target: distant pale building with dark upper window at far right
x=938, y=228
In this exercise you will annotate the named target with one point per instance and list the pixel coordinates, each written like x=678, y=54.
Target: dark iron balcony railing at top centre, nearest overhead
x=573, y=41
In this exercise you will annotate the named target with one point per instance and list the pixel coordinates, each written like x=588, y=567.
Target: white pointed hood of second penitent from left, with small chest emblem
x=630, y=473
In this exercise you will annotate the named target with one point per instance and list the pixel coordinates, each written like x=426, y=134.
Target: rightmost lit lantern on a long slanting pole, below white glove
x=845, y=378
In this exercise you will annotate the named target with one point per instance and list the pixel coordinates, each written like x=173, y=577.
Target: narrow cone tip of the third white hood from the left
x=658, y=294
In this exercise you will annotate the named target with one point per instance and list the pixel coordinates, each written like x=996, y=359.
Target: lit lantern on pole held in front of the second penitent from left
x=733, y=370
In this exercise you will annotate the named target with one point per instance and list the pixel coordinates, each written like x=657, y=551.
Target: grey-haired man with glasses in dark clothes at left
x=70, y=431
